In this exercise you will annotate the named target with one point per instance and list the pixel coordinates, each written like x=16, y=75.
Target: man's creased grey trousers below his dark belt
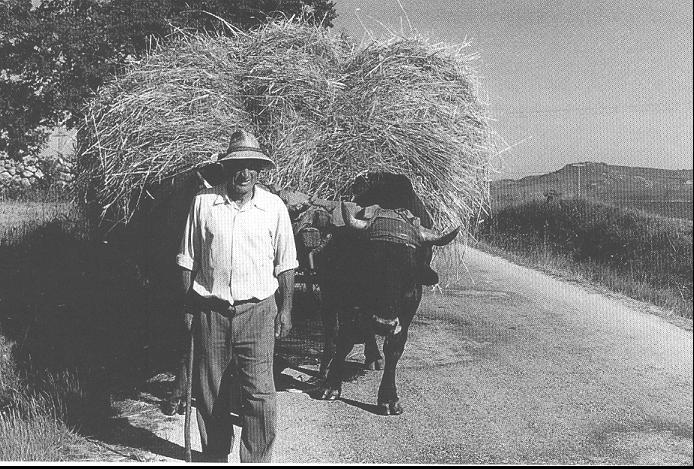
x=234, y=380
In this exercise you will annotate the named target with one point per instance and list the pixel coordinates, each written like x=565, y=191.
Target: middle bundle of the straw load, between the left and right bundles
x=289, y=90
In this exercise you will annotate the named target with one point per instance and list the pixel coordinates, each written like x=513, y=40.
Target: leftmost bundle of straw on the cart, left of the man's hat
x=158, y=119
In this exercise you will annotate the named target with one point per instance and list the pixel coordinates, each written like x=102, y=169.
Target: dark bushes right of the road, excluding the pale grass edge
x=654, y=250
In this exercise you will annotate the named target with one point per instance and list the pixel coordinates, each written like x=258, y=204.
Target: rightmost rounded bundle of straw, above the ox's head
x=411, y=107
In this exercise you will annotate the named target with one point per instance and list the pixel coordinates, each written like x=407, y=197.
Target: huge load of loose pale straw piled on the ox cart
x=325, y=110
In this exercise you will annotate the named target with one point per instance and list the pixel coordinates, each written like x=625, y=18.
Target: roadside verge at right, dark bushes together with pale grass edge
x=645, y=257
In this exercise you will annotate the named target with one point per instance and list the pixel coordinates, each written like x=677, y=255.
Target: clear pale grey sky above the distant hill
x=567, y=81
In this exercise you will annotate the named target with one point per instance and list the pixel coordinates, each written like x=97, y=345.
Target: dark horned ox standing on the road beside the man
x=371, y=283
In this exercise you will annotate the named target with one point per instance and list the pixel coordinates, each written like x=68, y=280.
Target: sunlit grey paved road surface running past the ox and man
x=513, y=367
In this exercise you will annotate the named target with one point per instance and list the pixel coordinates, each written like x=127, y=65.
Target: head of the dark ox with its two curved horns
x=390, y=271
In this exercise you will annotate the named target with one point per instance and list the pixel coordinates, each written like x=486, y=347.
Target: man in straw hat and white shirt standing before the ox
x=237, y=249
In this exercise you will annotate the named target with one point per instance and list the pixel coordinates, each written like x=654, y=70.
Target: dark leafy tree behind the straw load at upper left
x=56, y=55
